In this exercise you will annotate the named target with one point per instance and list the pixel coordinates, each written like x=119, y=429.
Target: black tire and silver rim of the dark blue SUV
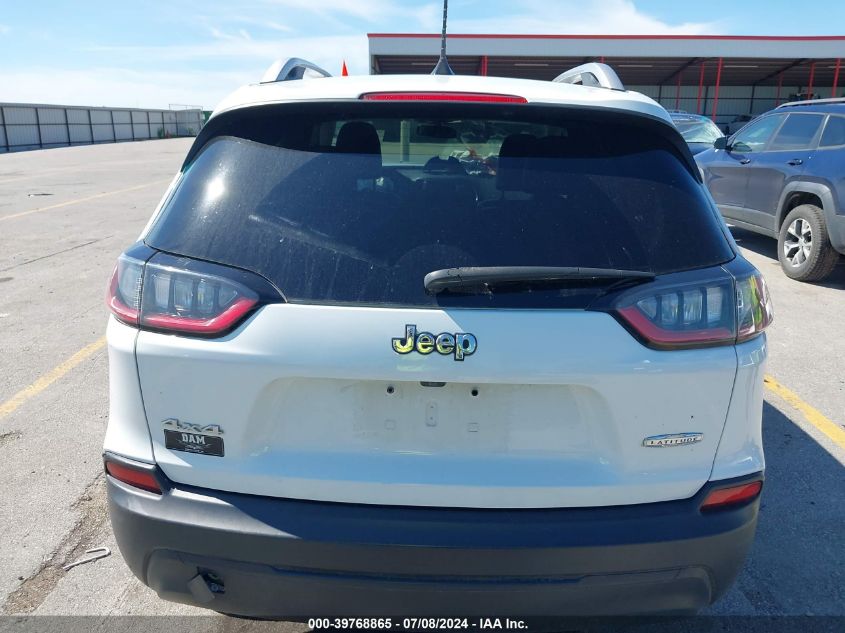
x=804, y=247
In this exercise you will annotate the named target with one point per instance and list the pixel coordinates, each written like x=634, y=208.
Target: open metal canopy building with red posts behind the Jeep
x=722, y=76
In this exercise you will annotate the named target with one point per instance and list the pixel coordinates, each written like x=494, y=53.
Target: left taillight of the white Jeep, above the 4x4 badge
x=183, y=296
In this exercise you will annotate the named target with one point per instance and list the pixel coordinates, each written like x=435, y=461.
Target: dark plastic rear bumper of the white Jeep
x=294, y=559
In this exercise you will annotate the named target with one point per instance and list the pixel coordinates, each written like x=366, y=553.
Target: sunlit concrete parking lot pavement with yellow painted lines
x=66, y=214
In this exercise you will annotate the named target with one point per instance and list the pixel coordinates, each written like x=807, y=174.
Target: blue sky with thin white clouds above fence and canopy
x=151, y=54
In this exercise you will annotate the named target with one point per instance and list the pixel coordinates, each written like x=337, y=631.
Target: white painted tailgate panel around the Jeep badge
x=565, y=400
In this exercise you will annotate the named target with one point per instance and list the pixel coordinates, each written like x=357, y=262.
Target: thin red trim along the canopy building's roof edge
x=510, y=36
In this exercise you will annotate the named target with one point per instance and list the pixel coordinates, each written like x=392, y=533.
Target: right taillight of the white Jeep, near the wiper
x=722, y=310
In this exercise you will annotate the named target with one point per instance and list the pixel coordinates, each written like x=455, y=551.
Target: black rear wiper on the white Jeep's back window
x=474, y=276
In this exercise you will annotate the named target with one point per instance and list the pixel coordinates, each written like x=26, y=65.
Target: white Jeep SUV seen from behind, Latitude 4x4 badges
x=406, y=345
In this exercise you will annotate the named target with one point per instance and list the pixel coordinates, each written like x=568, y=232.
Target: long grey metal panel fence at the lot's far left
x=25, y=126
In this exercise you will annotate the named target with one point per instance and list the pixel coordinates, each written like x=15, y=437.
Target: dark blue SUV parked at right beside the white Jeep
x=783, y=175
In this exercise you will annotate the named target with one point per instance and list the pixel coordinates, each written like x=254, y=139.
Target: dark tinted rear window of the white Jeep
x=356, y=203
